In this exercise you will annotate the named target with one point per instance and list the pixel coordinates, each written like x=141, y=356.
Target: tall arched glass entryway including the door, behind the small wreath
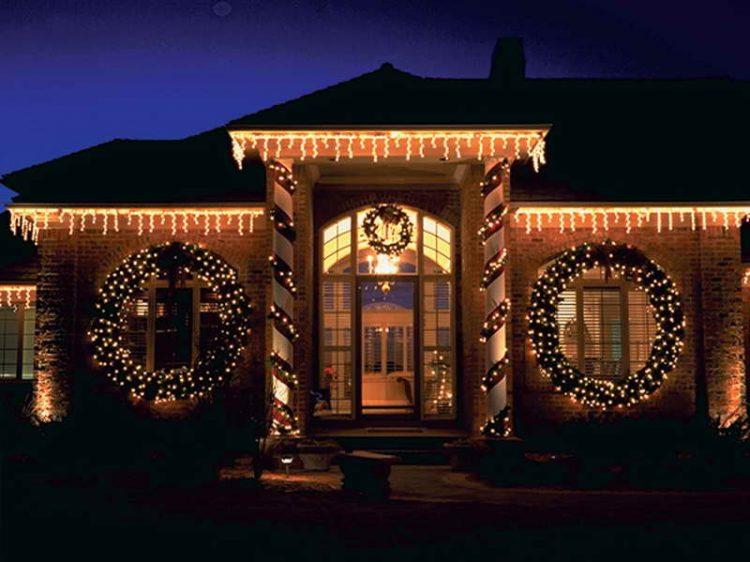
x=386, y=325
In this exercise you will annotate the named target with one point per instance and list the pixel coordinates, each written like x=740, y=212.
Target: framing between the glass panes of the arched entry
x=420, y=277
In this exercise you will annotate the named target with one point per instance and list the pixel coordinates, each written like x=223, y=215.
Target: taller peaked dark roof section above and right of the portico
x=611, y=139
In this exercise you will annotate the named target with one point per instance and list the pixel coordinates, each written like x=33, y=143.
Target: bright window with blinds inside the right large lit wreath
x=606, y=326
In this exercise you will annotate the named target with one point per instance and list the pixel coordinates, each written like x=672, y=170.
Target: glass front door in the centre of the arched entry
x=387, y=332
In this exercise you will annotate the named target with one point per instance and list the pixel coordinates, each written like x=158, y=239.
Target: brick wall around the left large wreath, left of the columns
x=73, y=267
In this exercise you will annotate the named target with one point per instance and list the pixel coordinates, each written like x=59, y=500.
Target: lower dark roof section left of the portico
x=196, y=169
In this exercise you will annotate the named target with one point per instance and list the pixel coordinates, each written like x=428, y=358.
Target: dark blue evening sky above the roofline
x=78, y=73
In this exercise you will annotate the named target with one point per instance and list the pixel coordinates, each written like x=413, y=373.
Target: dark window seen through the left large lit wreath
x=168, y=327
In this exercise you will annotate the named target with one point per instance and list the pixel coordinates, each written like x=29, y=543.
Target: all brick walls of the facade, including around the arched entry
x=705, y=265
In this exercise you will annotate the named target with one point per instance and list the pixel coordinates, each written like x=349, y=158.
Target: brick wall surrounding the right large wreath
x=705, y=266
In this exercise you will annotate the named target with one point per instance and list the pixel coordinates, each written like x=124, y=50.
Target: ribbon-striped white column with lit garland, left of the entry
x=284, y=332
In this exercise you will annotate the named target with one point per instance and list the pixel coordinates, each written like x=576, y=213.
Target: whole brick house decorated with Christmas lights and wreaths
x=447, y=256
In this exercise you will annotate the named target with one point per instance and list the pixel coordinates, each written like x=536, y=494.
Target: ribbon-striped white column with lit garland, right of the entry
x=497, y=305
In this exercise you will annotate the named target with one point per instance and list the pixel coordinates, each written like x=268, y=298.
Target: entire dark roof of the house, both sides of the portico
x=611, y=140
